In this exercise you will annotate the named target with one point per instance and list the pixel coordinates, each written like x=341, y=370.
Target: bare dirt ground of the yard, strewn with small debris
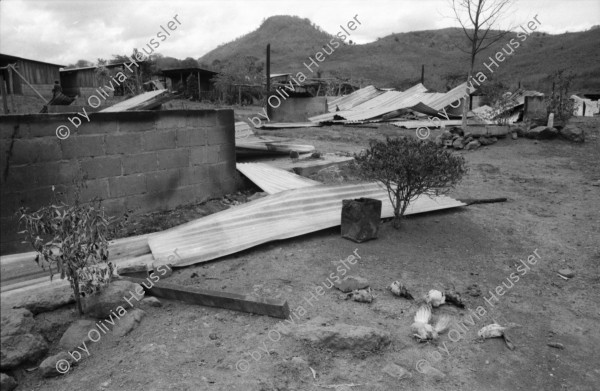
x=553, y=208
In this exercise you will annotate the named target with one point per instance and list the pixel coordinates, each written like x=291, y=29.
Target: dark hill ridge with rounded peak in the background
x=395, y=60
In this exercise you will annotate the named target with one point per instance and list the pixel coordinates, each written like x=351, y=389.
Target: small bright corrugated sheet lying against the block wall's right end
x=273, y=180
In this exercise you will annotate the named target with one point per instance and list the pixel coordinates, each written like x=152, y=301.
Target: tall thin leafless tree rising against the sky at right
x=478, y=18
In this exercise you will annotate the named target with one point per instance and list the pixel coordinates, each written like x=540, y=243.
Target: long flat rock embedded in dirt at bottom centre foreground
x=339, y=335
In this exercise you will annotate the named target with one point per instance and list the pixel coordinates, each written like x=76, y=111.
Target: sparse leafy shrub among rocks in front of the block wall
x=71, y=240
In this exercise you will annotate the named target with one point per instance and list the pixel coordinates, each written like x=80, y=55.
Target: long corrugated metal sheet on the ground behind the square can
x=279, y=216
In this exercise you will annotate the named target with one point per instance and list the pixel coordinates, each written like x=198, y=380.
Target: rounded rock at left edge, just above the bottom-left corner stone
x=20, y=349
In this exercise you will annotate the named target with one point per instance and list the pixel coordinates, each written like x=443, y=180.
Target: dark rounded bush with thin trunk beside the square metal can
x=408, y=168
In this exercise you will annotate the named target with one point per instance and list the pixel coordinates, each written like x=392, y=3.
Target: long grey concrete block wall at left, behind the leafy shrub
x=142, y=161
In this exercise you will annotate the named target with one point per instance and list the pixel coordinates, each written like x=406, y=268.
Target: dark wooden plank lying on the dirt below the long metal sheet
x=226, y=300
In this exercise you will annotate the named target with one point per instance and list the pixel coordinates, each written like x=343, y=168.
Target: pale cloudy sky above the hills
x=64, y=31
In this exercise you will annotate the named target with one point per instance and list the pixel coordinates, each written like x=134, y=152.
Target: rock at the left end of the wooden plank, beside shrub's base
x=112, y=296
